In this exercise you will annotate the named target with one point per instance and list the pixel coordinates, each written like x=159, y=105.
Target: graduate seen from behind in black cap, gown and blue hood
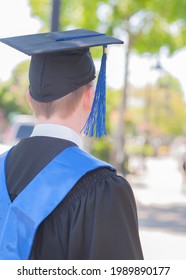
x=57, y=202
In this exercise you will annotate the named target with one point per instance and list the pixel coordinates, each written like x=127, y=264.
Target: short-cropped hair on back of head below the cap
x=64, y=106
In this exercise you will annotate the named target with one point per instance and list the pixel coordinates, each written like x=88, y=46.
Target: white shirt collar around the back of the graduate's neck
x=57, y=131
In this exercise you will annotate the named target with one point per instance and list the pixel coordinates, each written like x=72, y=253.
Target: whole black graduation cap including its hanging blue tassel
x=61, y=63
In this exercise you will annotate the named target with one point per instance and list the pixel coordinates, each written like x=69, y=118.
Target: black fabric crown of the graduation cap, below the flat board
x=54, y=76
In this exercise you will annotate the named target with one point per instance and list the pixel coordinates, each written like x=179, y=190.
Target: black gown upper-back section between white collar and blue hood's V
x=28, y=157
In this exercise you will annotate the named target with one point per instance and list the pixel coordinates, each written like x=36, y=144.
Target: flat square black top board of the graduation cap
x=53, y=42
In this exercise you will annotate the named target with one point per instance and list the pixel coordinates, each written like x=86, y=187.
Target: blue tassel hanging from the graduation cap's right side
x=96, y=122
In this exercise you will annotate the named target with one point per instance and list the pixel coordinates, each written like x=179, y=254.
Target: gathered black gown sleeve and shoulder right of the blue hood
x=96, y=221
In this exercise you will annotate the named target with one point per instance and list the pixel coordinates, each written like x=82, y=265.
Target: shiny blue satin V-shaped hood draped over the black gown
x=20, y=219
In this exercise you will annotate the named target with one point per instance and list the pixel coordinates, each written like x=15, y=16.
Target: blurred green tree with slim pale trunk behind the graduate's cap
x=145, y=25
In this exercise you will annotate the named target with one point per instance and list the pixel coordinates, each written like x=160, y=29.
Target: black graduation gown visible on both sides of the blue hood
x=96, y=220
